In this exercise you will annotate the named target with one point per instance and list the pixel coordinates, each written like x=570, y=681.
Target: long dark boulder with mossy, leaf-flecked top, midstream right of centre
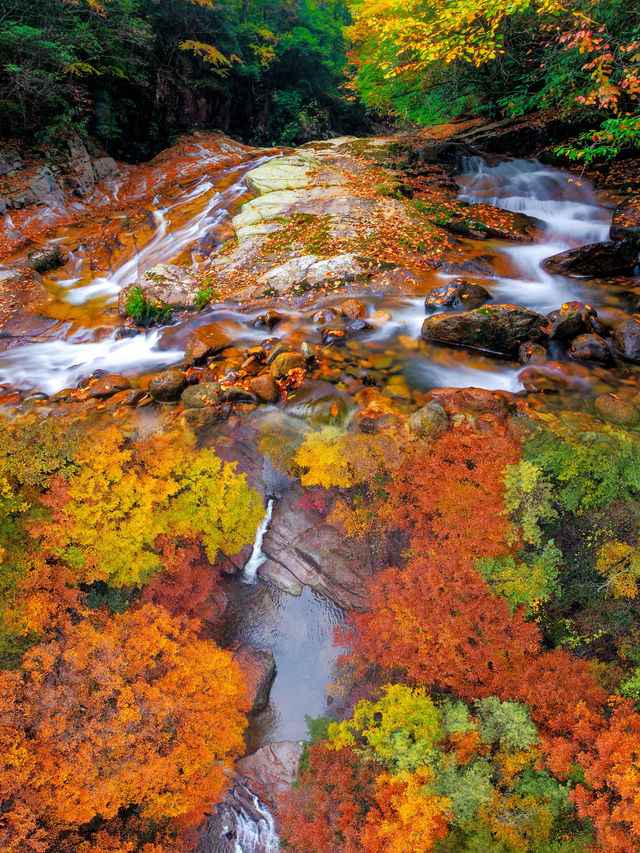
x=496, y=328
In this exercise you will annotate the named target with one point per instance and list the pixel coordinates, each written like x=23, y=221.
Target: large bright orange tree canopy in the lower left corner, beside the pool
x=130, y=711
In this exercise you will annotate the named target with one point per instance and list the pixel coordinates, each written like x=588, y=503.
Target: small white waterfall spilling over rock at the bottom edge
x=242, y=823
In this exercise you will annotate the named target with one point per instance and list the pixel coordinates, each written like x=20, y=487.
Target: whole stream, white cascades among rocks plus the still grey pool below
x=185, y=219
